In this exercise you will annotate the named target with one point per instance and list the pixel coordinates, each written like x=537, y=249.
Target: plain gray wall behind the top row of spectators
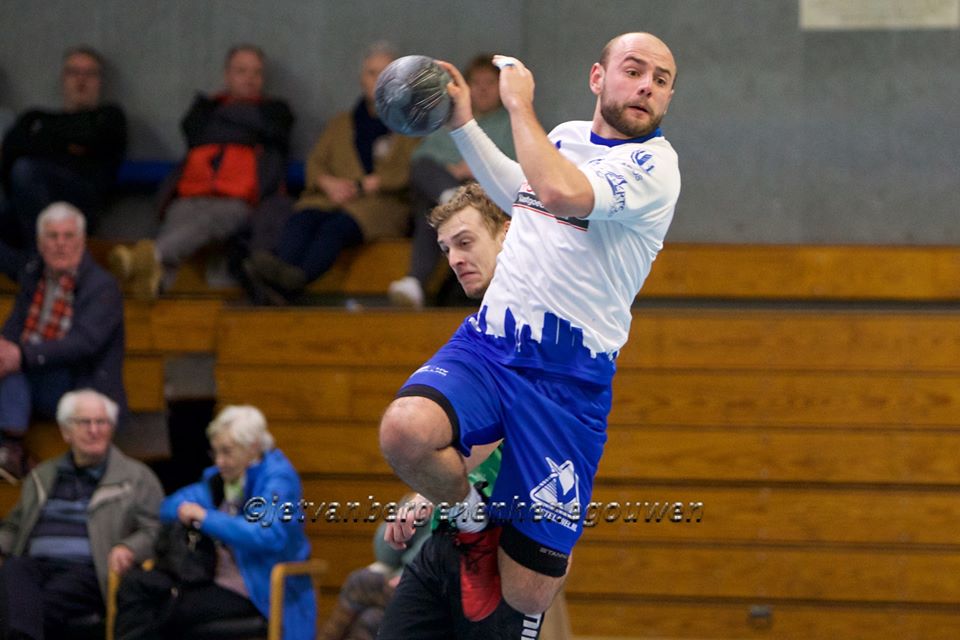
x=784, y=136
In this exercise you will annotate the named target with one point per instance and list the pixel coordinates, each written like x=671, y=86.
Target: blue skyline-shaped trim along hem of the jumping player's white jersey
x=560, y=350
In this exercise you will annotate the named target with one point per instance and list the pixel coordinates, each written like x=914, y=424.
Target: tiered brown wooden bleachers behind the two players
x=808, y=397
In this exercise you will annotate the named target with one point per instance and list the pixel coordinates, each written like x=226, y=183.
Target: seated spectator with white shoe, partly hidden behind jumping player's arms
x=437, y=170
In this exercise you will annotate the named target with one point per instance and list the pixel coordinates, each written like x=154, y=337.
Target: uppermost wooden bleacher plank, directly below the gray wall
x=682, y=271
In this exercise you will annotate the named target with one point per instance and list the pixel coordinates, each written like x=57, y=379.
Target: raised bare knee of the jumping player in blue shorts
x=412, y=428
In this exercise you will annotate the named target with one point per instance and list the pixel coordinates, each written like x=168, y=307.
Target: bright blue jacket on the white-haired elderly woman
x=258, y=546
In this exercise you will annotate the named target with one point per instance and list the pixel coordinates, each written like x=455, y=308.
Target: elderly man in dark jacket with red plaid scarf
x=65, y=331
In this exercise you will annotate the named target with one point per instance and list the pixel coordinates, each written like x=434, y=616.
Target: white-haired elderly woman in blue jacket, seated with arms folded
x=247, y=466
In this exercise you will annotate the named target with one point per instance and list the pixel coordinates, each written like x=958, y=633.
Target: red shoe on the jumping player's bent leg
x=479, y=573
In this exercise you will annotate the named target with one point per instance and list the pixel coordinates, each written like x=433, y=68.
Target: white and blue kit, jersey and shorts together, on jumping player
x=534, y=365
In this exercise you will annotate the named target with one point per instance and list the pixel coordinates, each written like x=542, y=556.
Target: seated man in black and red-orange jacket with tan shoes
x=238, y=141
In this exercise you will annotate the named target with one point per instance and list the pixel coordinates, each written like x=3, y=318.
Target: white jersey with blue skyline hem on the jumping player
x=561, y=294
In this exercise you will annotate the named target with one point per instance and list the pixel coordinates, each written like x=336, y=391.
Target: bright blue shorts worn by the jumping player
x=553, y=427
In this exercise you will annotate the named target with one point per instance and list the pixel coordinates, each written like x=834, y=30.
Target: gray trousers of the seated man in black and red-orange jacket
x=192, y=223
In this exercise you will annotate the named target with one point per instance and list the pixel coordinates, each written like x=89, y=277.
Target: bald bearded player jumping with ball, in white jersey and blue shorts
x=591, y=204
